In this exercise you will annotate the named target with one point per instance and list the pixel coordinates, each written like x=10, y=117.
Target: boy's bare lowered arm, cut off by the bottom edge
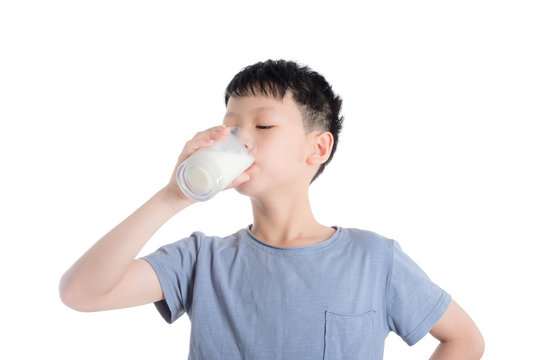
x=459, y=336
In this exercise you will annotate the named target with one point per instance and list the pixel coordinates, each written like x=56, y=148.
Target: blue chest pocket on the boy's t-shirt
x=348, y=336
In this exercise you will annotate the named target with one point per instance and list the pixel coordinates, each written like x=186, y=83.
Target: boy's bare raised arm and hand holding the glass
x=107, y=276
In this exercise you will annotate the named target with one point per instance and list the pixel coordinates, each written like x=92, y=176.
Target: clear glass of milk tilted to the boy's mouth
x=210, y=170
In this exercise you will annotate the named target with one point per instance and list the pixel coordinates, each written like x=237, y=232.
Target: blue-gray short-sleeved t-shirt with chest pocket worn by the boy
x=337, y=299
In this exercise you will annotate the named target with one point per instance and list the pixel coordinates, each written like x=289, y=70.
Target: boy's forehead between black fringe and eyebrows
x=248, y=106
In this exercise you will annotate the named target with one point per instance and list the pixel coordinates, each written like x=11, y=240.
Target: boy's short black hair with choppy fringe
x=319, y=105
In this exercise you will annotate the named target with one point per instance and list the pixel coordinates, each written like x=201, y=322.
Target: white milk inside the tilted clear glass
x=227, y=167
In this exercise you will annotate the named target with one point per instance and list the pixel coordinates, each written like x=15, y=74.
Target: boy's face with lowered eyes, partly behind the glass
x=282, y=144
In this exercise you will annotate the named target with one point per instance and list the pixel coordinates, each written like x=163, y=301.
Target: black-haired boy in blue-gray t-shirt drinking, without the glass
x=285, y=287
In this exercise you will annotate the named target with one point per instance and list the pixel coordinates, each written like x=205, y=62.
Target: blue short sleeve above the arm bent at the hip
x=414, y=303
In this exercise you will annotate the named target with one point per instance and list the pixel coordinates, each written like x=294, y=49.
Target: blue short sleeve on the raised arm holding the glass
x=174, y=265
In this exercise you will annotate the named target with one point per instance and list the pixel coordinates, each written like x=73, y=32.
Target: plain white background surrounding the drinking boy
x=438, y=151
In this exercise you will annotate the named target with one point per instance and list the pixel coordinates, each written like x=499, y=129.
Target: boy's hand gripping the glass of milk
x=202, y=139
